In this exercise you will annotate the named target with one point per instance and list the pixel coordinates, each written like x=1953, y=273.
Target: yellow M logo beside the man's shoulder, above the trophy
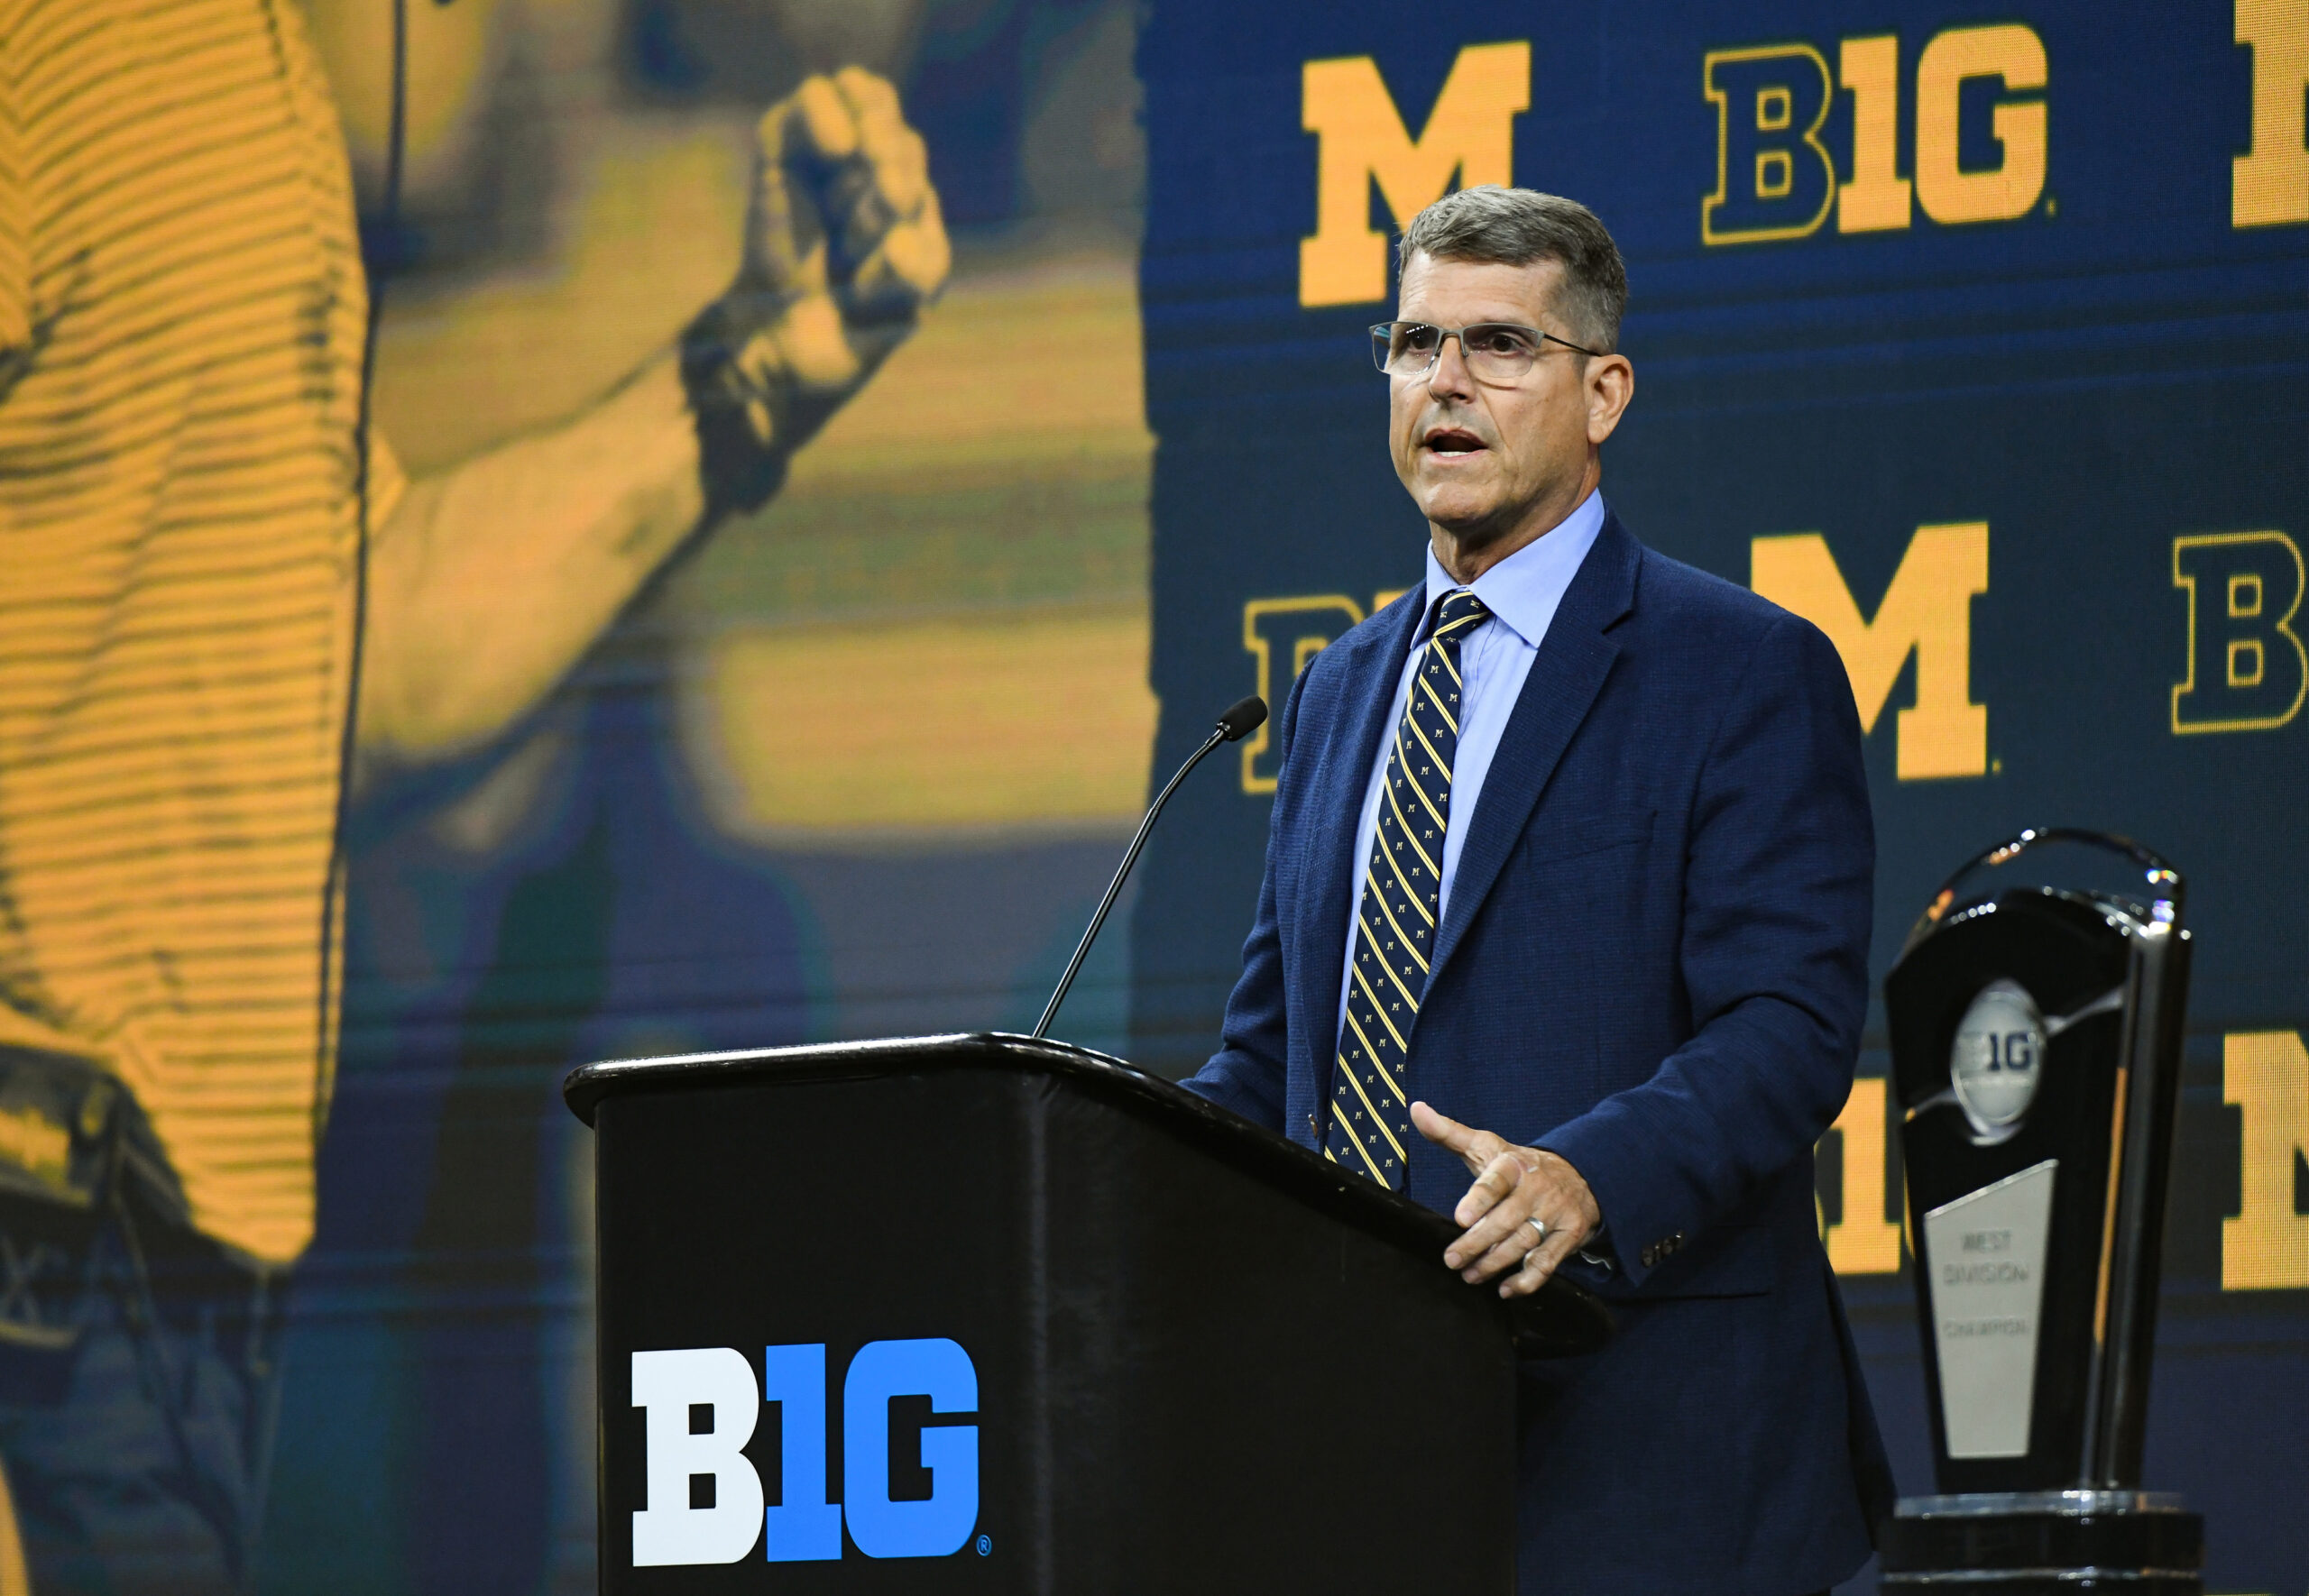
x=1927, y=611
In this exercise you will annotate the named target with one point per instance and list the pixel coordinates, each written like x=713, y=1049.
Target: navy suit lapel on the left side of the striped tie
x=1373, y=671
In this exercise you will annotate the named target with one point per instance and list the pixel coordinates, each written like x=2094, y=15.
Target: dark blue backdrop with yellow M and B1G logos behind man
x=1975, y=338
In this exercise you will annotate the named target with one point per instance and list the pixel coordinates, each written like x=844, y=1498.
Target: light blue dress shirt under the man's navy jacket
x=1523, y=595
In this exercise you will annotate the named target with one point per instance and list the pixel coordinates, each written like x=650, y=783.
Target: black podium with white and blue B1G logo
x=1001, y=1315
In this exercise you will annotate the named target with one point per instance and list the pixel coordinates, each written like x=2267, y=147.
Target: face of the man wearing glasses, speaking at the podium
x=1484, y=458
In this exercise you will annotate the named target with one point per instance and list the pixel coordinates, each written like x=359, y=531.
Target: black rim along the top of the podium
x=1562, y=1320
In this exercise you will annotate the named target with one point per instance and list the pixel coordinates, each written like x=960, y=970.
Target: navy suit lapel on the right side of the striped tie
x=1567, y=676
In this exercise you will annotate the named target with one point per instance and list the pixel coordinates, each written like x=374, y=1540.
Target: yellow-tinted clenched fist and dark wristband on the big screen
x=844, y=248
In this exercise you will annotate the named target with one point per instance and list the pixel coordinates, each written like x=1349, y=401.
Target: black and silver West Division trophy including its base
x=2035, y=1038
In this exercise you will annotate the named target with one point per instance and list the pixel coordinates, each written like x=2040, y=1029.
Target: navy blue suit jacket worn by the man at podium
x=1654, y=962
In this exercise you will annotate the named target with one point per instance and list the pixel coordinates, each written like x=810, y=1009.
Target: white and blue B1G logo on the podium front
x=705, y=1496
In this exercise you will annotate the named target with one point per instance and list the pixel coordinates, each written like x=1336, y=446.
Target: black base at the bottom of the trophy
x=2045, y=1542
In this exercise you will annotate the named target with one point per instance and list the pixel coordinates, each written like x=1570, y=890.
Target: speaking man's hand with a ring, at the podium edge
x=1514, y=1186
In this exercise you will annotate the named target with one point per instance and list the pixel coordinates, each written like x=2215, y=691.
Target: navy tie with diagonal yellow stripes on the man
x=1370, y=1103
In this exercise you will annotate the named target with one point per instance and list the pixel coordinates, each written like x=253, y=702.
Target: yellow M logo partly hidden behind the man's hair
x=1363, y=140
